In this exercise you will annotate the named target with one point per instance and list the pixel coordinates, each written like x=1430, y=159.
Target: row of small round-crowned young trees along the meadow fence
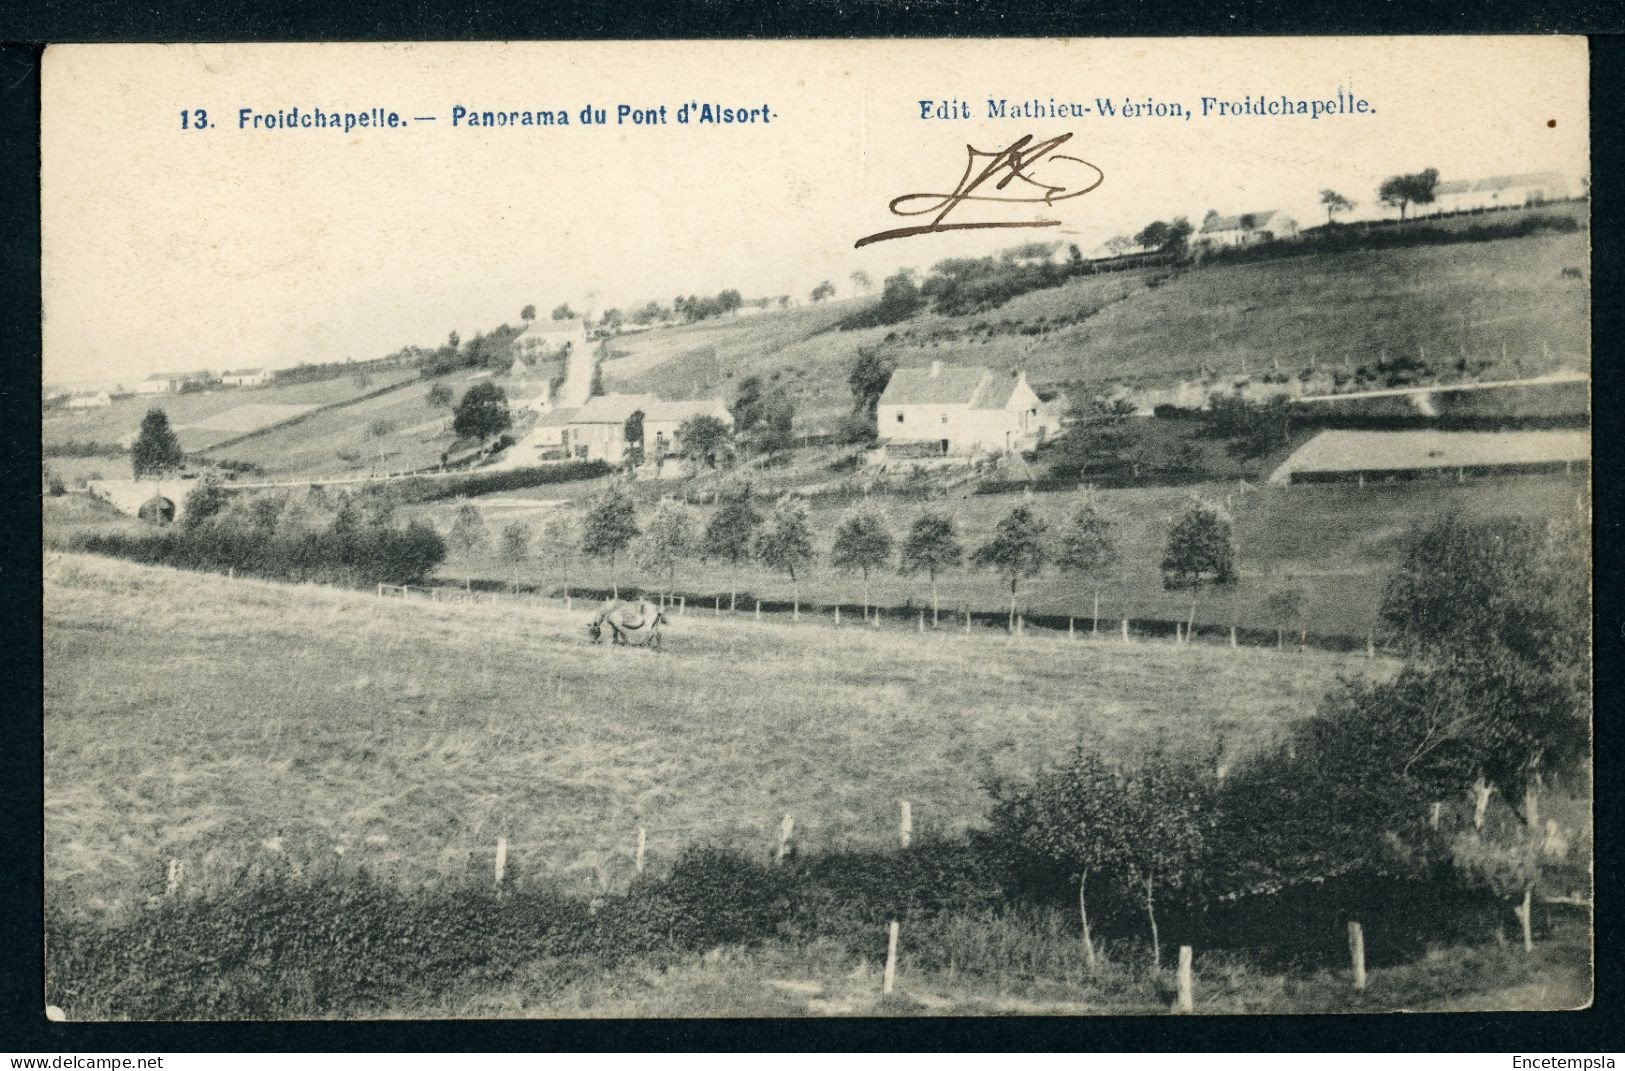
x=1200, y=549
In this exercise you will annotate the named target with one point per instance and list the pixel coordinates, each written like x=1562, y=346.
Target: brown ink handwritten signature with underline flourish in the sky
x=1012, y=165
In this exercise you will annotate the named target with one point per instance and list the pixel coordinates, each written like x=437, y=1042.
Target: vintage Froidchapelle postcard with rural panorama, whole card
x=817, y=529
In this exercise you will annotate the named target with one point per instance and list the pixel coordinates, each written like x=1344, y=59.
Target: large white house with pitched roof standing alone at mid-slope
x=964, y=410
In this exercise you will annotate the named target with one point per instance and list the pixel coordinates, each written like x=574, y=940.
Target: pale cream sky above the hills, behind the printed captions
x=175, y=249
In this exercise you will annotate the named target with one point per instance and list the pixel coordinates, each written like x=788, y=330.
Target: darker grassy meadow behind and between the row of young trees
x=1337, y=544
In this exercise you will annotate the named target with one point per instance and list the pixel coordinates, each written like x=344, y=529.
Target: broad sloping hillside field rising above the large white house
x=1156, y=327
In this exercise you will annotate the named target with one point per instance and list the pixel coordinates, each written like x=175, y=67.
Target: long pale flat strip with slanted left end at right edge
x=1403, y=454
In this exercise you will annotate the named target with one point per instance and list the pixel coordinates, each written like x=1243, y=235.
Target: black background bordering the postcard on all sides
x=24, y=33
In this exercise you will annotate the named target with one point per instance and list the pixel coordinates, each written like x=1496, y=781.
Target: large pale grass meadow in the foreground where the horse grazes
x=267, y=724
